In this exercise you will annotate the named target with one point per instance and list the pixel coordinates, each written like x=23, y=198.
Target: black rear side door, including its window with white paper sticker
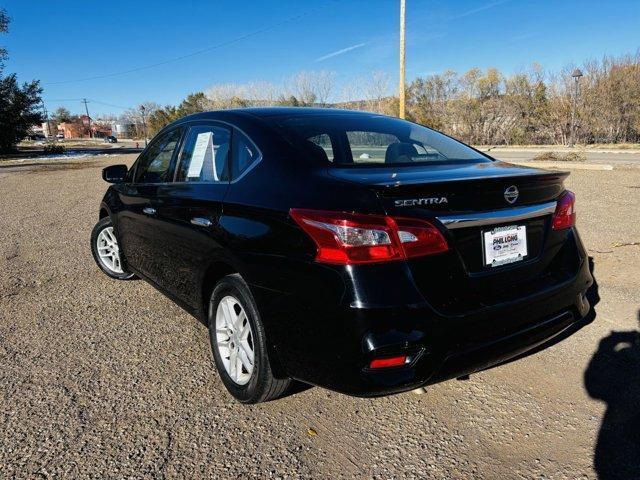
x=188, y=209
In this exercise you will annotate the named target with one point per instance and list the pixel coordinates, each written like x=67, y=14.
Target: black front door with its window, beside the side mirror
x=142, y=240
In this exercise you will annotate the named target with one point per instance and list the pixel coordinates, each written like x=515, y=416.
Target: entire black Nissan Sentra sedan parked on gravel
x=350, y=250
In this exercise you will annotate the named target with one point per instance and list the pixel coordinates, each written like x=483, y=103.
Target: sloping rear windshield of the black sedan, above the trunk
x=349, y=139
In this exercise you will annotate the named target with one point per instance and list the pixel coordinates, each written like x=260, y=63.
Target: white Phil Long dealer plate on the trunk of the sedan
x=504, y=245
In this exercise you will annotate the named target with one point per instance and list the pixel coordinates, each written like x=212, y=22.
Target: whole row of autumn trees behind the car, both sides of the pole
x=479, y=107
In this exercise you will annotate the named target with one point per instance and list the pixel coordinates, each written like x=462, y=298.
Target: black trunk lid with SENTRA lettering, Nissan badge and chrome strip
x=459, y=280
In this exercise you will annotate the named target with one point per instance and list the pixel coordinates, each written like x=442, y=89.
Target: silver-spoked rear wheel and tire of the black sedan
x=239, y=345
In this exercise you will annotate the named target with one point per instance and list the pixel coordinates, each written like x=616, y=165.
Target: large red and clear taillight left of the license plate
x=351, y=238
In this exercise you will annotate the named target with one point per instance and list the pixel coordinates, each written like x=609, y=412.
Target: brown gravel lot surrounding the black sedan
x=108, y=379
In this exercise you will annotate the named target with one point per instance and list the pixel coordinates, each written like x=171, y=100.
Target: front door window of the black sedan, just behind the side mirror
x=154, y=165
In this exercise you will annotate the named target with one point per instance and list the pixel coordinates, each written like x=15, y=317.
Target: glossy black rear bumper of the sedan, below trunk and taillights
x=332, y=346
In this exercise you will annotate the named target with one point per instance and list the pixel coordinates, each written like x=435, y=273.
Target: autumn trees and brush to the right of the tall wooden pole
x=533, y=107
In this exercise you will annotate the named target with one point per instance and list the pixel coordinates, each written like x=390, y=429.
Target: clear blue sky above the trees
x=222, y=41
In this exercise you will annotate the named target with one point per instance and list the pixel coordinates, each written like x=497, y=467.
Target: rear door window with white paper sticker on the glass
x=205, y=155
